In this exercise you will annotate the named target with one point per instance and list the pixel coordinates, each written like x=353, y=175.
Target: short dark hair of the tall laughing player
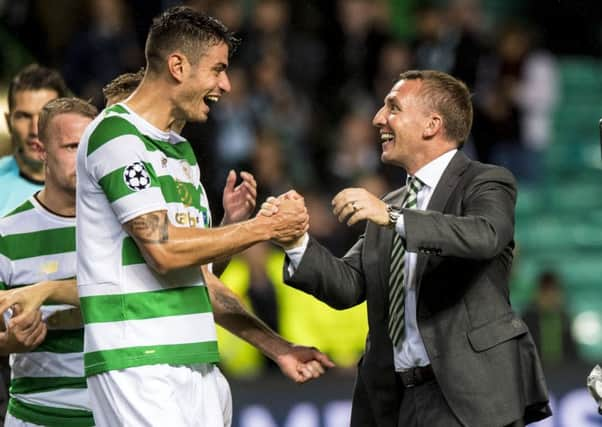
x=182, y=28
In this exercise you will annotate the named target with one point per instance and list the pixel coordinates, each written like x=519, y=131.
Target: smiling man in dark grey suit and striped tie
x=444, y=347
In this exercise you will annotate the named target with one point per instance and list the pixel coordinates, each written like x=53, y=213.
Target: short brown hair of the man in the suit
x=447, y=96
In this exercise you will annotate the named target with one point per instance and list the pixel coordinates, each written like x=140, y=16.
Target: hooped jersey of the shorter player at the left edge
x=48, y=386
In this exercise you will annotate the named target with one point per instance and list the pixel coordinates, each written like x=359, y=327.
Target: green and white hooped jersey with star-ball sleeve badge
x=132, y=315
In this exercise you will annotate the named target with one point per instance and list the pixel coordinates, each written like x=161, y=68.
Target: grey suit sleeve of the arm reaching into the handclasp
x=339, y=282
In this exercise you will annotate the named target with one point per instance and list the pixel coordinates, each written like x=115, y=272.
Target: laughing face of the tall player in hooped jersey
x=206, y=82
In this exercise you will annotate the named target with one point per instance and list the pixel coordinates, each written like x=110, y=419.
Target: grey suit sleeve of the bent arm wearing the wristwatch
x=481, y=231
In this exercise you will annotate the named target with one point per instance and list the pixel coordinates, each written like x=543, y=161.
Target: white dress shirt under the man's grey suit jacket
x=411, y=352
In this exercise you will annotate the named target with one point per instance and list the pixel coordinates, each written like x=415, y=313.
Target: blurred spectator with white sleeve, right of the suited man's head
x=515, y=94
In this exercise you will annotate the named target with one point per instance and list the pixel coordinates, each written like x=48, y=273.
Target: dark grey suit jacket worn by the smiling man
x=482, y=354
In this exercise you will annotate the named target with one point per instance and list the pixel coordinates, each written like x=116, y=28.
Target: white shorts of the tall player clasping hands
x=161, y=395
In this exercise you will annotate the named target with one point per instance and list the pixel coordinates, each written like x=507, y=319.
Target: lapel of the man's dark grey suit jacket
x=445, y=187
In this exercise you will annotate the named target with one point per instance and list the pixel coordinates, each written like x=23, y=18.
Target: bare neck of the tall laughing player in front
x=151, y=103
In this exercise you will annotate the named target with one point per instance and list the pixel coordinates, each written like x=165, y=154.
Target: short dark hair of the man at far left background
x=36, y=77
